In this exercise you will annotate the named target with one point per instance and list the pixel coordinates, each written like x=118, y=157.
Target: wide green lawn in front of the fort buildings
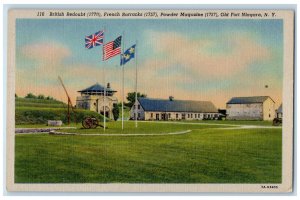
x=205, y=155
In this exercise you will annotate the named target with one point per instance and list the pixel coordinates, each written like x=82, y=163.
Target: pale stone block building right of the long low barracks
x=251, y=108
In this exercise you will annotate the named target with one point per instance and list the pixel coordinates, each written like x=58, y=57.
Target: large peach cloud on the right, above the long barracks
x=209, y=57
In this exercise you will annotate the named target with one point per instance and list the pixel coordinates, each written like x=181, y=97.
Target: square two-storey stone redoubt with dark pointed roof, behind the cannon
x=92, y=98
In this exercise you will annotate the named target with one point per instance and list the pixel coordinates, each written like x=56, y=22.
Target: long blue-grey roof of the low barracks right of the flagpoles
x=164, y=105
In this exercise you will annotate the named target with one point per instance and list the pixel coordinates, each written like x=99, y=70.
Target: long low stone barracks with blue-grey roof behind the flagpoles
x=170, y=109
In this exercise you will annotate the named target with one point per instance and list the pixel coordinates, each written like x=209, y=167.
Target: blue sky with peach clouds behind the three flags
x=206, y=59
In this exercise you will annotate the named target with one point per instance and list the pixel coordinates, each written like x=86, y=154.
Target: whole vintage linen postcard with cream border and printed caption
x=150, y=100
